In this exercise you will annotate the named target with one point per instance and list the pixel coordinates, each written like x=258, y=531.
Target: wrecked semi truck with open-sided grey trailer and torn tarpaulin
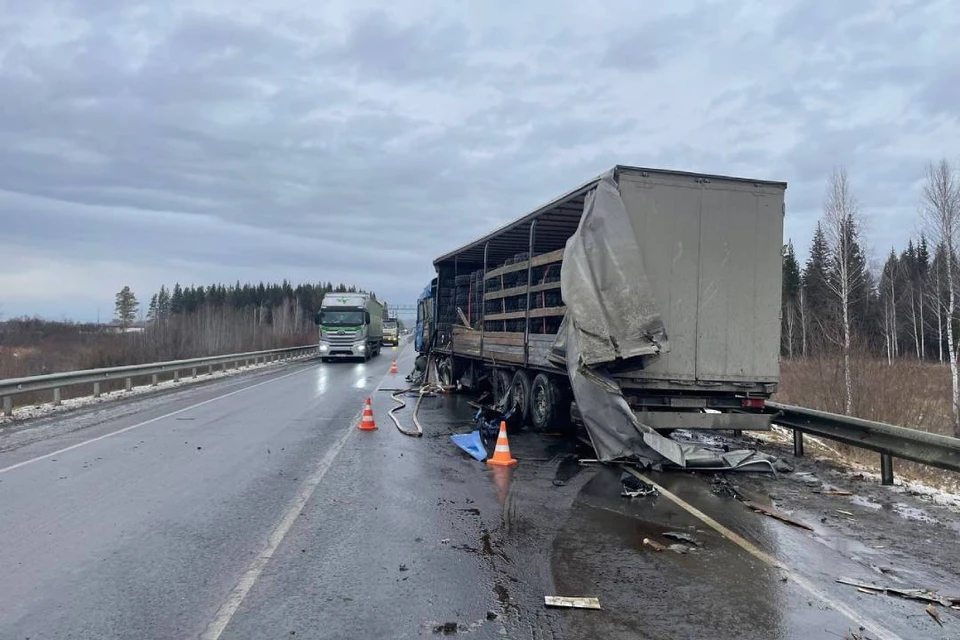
x=640, y=302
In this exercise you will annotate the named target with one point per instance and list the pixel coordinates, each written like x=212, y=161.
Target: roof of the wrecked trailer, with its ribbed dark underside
x=556, y=221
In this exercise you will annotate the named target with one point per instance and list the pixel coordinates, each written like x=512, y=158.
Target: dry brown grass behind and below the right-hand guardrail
x=908, y=394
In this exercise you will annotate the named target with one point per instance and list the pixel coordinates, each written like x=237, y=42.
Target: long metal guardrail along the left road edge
x=55, y=381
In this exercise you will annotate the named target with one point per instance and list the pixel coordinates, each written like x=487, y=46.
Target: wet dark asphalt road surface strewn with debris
x=265, y=514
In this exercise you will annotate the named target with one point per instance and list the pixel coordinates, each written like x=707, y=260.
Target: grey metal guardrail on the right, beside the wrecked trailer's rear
x=888, y=440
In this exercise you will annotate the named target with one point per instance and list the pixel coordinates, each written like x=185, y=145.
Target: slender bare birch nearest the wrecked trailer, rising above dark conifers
x=842, y=221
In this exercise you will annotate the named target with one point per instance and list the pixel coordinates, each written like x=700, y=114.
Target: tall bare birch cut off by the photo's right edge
x=940, y=208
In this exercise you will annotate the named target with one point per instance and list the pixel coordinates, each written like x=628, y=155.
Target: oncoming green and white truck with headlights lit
x=351, y=326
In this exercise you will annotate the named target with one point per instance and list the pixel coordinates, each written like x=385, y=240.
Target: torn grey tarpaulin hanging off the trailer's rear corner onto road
x=611, y=317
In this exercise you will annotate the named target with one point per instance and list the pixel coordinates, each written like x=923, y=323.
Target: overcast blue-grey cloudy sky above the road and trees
x=217, y=140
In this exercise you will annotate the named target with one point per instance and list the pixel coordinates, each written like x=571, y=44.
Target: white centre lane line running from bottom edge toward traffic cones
x=252, y=574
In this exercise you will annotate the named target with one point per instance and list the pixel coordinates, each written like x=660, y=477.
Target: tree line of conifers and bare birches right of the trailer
x=836, y=304
